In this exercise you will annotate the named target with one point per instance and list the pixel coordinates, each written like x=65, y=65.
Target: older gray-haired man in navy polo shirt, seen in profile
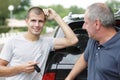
x=102, y=54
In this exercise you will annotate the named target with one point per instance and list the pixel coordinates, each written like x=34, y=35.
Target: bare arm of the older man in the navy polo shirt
x=79, y=66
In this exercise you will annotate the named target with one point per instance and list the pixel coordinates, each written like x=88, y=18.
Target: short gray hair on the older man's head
x=102, y=12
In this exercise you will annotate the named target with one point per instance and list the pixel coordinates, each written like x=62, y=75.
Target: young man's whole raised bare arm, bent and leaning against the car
x=70, y=38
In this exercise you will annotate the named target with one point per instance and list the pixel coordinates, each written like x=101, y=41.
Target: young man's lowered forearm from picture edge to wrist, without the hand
x=9, y=71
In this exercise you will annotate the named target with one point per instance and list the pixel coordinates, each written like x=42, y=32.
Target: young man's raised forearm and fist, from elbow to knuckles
x=69, y=34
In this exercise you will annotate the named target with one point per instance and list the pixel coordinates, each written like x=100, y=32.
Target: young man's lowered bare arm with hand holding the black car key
x=6, y=71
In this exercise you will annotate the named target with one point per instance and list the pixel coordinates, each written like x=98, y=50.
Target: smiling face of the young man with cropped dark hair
x=35, y=23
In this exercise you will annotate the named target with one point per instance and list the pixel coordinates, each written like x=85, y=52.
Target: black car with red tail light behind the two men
x=60, y=62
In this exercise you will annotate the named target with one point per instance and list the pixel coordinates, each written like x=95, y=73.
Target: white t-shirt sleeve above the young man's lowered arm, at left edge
x=6, y=53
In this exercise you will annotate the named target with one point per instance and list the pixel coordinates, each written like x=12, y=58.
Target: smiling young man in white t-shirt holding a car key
x=21, y=53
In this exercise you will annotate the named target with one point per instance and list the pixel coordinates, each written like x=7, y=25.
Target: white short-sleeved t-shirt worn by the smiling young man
x=18, y=51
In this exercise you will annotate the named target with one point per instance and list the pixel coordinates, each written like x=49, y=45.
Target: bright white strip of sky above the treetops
x=65, y=3
